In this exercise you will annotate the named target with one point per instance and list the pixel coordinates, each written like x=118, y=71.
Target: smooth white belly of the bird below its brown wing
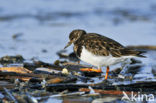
x=99, y=61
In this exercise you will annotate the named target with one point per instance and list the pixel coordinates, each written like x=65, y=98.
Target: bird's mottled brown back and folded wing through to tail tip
x=101, y=45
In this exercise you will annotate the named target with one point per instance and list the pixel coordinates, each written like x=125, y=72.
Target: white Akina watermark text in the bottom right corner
x=137, y=97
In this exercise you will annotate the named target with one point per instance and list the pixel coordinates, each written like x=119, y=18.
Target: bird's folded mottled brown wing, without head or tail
x=101, y=45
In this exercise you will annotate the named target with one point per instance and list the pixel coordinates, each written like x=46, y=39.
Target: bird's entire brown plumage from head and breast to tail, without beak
x=99, y=45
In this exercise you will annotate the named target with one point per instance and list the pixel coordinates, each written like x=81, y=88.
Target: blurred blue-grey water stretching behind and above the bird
x=40, y=28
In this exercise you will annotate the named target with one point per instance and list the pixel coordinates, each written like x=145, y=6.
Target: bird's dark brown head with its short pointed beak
x=74, y=36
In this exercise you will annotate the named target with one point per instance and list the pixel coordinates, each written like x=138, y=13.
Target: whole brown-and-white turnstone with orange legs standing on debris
x=99, y=50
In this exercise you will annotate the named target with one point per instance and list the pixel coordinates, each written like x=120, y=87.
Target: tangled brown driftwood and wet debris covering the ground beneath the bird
x=37, y=81
